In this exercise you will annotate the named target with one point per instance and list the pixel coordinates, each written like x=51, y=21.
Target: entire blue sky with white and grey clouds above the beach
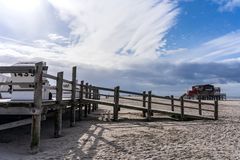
x=160, y=45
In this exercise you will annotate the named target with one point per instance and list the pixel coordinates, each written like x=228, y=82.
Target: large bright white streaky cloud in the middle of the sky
x=116, y=33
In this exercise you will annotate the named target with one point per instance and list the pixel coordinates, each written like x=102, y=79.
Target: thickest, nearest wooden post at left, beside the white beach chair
x=36, y=119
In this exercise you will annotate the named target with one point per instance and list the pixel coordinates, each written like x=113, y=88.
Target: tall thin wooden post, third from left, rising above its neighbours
x=73, y=98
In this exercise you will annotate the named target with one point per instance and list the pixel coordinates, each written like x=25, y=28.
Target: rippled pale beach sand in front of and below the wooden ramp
x=93, y=138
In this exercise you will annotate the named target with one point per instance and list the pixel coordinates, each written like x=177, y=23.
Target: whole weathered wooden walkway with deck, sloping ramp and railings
x=89, y=99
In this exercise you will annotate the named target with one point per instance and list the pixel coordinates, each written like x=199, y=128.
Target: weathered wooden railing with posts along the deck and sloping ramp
x=91, y=96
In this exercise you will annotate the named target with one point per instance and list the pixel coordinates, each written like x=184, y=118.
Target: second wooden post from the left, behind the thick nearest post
x=58, y=113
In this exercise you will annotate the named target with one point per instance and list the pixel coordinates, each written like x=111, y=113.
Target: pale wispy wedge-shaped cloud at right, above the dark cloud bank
x=221, y=49
